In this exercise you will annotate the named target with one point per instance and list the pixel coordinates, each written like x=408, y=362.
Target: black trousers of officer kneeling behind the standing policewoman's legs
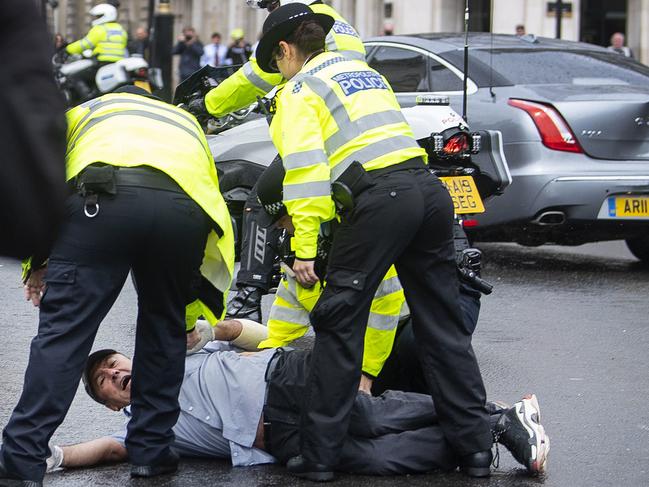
x=402, y=370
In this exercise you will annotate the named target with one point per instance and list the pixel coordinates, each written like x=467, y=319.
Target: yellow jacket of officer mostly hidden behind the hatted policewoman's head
x=242, y=88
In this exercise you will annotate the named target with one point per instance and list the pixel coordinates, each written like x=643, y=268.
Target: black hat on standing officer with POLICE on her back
x=280, y=24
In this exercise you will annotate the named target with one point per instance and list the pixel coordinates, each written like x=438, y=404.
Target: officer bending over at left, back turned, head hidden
x=145, y=199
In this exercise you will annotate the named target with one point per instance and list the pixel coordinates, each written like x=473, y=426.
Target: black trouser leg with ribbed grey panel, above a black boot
x=257, y=257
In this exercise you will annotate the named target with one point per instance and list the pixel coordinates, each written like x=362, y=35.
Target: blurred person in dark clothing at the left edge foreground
x=32, y=134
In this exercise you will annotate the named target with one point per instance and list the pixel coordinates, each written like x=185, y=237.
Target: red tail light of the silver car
x=555, y=132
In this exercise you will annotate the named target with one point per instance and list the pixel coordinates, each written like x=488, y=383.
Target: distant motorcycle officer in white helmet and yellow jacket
x=107, y=39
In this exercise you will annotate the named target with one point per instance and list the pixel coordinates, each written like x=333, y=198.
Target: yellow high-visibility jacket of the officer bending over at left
x=127, y=130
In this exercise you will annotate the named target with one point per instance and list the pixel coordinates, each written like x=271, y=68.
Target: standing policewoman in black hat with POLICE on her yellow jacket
x=339, y=131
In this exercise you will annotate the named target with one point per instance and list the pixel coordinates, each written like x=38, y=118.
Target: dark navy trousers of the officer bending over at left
x=160, y=236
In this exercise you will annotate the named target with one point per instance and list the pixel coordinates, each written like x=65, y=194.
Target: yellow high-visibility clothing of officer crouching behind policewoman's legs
x=289, y=318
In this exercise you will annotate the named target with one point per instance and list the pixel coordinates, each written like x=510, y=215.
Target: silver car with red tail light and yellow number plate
x=575, y=124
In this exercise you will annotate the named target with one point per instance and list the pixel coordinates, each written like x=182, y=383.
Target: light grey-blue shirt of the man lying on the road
x=221, y=401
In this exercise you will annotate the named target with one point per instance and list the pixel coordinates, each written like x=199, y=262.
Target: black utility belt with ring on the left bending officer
x=100, y=178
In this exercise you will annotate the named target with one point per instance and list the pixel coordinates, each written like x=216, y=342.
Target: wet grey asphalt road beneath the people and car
x=570, y=324
